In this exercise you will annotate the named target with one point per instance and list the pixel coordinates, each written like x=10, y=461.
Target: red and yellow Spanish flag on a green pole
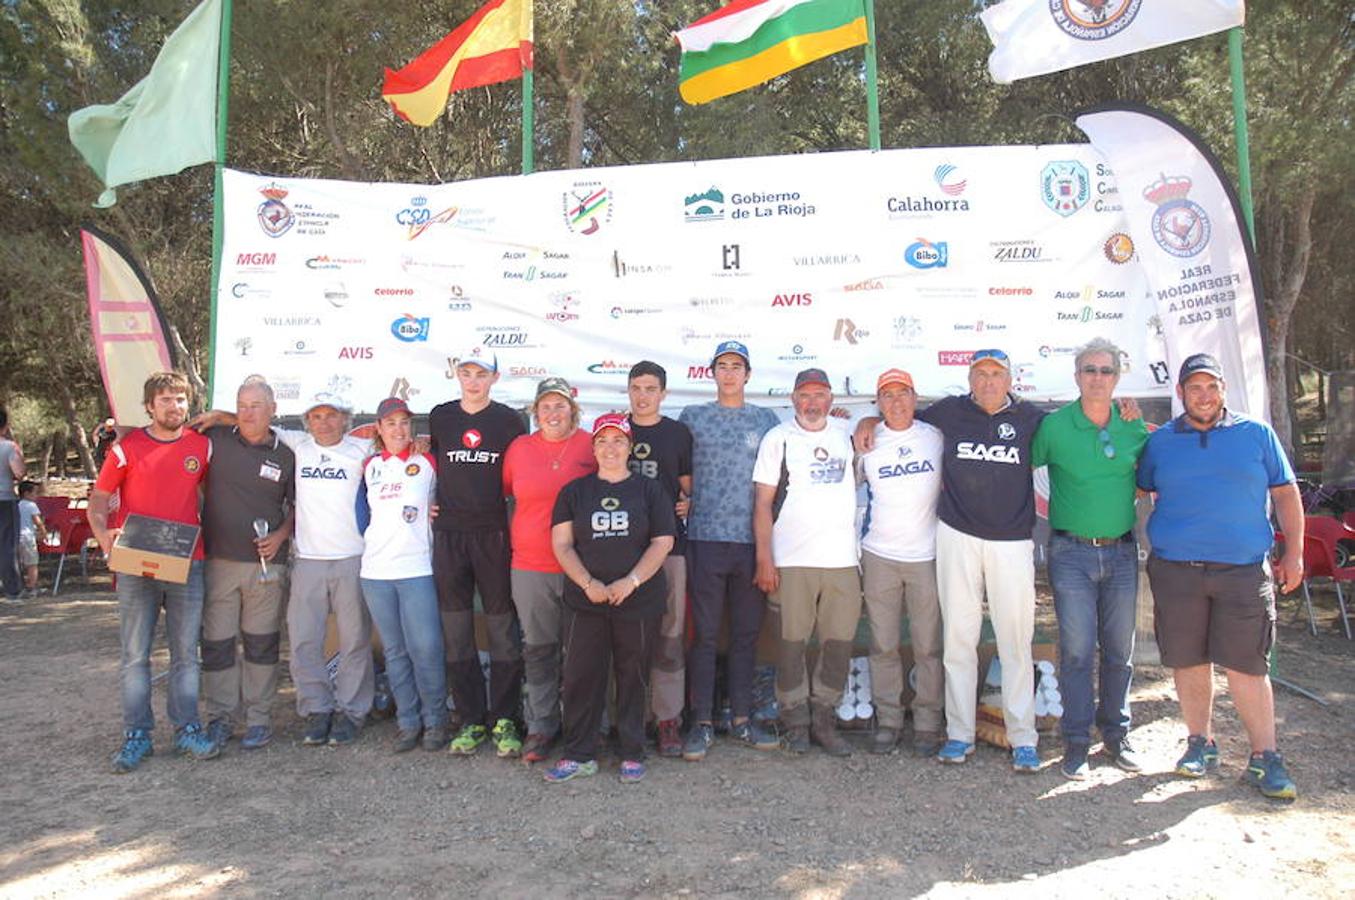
x=493, y=45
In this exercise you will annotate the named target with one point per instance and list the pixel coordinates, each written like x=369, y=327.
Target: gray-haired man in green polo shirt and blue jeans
x=1091, y=453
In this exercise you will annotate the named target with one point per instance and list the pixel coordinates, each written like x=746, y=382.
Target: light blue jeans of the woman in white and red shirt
x=406, y=612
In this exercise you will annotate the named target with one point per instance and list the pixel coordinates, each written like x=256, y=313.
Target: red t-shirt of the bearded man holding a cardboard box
x=158, y=478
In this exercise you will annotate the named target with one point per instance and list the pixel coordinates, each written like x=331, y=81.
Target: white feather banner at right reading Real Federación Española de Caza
x=1189, y=235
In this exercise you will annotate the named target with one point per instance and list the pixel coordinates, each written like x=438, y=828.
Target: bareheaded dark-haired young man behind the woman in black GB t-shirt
x=662, y=452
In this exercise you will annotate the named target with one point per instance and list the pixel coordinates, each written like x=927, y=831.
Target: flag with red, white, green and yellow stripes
x=753, y=41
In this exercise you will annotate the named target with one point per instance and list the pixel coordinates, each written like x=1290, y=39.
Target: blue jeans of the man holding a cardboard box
x=139, y=609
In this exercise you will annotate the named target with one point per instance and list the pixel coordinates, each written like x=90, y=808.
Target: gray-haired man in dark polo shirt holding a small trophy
x=251, y=480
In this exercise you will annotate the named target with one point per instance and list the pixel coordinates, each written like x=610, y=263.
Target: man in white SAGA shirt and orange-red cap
x=899, y=566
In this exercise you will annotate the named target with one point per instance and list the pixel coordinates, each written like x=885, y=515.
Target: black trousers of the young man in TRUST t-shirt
x=461, y=562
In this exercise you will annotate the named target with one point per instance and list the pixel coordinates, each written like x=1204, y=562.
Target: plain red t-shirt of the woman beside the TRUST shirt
x=535, y=472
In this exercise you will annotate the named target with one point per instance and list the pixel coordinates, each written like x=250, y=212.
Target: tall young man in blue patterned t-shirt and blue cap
x=722, y=559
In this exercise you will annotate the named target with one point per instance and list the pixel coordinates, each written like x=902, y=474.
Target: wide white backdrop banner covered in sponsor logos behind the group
x=852, y=262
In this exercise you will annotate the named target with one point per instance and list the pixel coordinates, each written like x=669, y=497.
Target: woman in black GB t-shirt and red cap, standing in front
x=612, y=533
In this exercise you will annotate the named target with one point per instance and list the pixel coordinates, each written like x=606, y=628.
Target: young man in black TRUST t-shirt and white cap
x=471, y=550
